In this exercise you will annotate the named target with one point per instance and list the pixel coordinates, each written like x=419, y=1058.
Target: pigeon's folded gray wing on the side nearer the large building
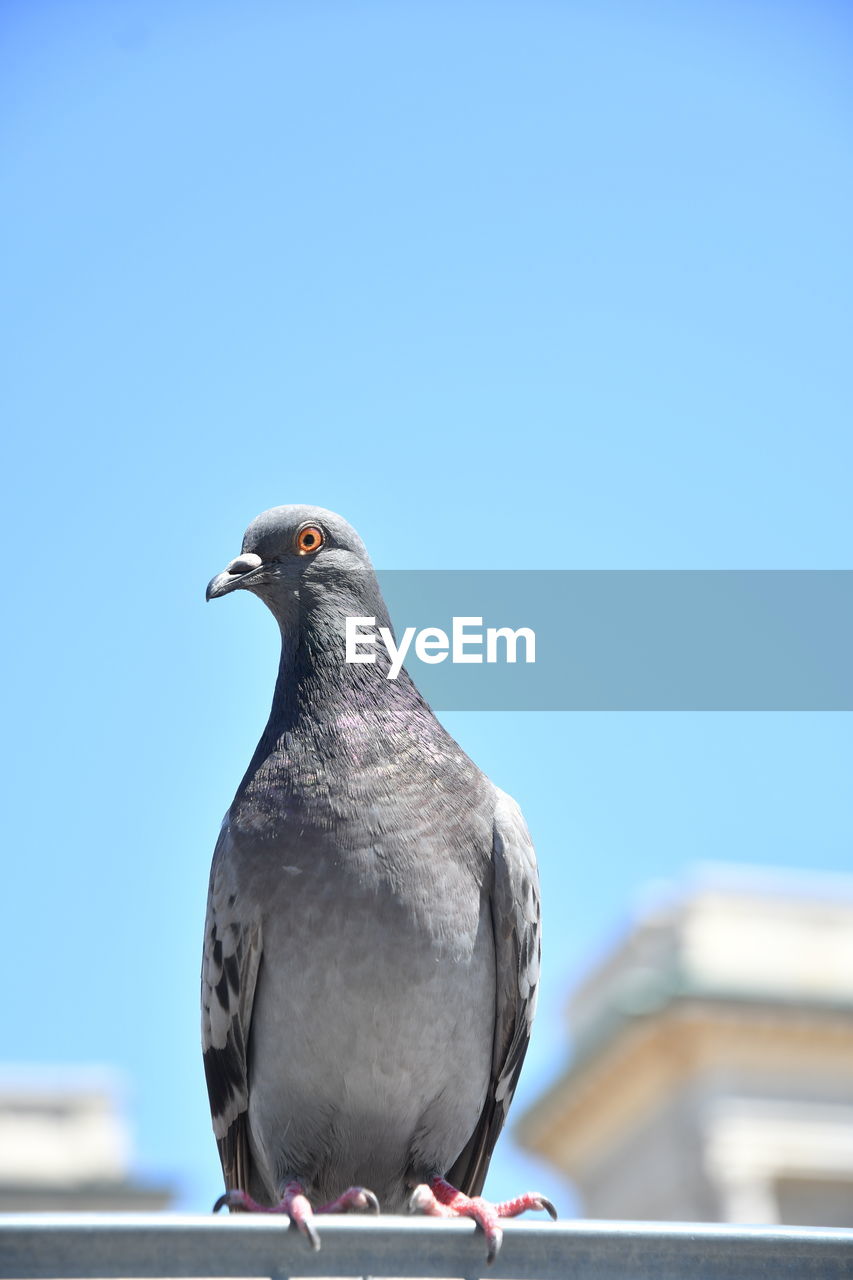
x=516, y=920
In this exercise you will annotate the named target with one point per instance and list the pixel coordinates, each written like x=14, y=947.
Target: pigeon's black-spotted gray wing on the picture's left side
x=229, y=977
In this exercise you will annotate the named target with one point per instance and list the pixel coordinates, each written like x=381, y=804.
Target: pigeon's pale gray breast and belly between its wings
x=373, y=1026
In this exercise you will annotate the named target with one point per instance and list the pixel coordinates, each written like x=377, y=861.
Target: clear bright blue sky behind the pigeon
x=509, y=285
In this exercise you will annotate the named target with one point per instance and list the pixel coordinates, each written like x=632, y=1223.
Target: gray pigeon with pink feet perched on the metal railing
x=372, y=940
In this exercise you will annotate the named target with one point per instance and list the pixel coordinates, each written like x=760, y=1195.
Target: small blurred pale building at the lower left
x=65, y=1145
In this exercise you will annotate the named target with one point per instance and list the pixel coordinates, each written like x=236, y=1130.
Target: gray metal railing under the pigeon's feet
x=162, y=1246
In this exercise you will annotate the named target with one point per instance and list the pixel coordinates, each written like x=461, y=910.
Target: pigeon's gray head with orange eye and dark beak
x=300, y=559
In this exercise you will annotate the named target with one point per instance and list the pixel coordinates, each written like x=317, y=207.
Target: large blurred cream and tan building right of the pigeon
x=713, y=1068
